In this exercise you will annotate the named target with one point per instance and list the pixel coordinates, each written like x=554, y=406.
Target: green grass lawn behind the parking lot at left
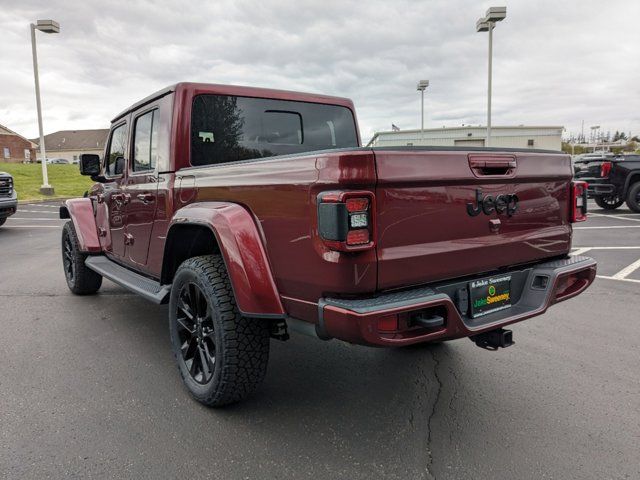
x=65, y=179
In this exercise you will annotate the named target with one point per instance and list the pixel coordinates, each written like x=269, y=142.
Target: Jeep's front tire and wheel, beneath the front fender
x=81, y=280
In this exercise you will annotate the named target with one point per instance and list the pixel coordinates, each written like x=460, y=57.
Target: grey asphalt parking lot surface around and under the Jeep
x=88, y=386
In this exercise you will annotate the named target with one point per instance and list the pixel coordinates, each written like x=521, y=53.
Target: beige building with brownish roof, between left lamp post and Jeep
x=70, y=144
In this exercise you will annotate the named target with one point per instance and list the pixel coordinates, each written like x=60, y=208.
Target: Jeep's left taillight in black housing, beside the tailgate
x=346, y=220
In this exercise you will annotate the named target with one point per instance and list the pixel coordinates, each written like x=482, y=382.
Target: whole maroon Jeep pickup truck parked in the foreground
x=256, y=212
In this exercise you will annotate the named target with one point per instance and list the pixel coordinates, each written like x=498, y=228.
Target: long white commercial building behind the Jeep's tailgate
x=546, y=138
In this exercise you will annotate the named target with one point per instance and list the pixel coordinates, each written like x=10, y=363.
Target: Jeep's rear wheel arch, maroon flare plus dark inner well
x=229, y=229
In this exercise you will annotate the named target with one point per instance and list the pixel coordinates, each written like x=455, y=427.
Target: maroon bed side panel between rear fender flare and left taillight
x=281, y=195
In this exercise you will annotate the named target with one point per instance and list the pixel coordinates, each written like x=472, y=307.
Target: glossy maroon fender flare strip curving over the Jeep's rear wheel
x=243, y=252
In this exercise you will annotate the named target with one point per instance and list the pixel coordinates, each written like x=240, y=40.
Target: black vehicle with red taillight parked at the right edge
x=612, y=179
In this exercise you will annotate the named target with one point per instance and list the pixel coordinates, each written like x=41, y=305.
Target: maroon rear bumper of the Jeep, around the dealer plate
x=358, y=321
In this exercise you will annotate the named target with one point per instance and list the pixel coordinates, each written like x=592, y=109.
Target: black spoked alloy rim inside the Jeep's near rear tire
x=196, y=333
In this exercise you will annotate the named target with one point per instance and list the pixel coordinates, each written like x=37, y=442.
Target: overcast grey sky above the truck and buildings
x=555, y=62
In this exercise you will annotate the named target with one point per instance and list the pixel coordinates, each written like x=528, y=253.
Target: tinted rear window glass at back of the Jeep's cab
x=227, y=129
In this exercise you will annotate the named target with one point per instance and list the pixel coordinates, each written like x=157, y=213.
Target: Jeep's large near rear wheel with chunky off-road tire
x=240, y=344
